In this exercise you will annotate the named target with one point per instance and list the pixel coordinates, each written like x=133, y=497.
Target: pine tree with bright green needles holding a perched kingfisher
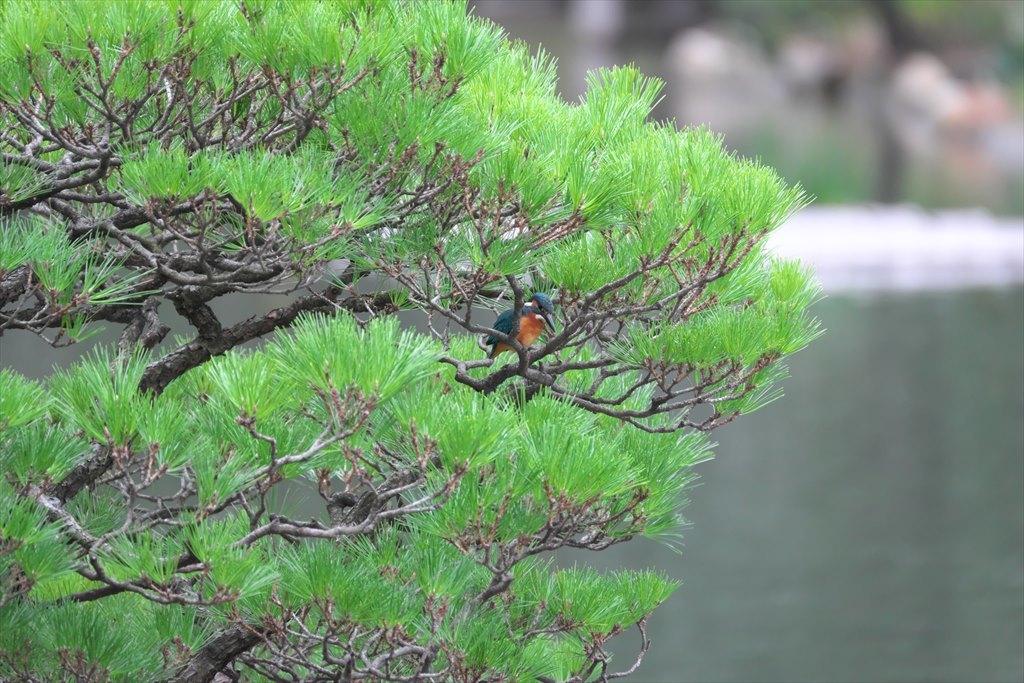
x=363, y=495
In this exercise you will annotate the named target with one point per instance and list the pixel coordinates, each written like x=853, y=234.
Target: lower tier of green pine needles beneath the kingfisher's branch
x=385, y=581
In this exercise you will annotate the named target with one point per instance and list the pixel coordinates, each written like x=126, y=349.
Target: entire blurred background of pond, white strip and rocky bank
x=869, y=527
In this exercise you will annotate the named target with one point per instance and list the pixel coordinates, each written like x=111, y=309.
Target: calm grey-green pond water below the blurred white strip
x=870, y=526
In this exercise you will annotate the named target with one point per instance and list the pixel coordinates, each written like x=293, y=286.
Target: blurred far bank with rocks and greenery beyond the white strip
x=825, y=107
